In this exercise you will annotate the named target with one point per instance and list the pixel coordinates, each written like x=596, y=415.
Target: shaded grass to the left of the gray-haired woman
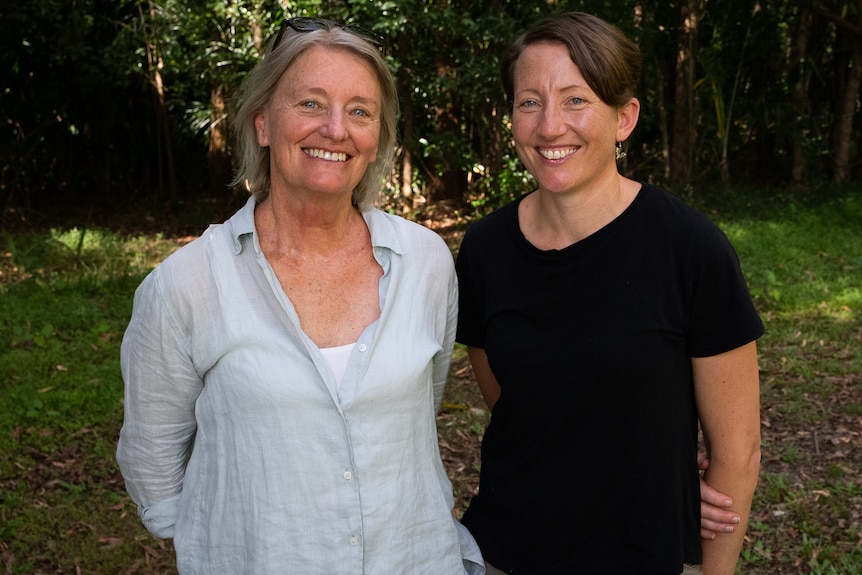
x=64, y=303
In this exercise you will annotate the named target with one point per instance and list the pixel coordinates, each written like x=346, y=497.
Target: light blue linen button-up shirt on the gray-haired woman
x=238, y=443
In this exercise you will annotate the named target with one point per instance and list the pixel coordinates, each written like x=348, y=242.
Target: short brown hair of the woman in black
x=607, y=59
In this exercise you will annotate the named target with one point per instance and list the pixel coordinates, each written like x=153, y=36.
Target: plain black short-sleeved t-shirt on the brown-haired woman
x=589, y=461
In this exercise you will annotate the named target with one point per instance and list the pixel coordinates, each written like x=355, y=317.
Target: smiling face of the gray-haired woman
x=322, y=124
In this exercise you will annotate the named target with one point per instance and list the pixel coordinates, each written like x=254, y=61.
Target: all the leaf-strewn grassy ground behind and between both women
x=65, y=298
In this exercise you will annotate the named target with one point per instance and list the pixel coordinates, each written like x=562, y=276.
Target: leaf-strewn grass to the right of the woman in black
x=803, y=264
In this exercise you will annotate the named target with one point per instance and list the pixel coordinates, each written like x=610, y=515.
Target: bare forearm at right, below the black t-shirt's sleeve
x=727, y=392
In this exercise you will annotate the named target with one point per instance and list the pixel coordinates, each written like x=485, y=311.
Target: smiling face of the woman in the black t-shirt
x=564, y=133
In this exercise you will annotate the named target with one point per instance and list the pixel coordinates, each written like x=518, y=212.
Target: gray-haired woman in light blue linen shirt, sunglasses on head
x=283, y=371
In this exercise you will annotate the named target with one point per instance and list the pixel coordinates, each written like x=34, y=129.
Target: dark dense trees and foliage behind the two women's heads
x=114, y=100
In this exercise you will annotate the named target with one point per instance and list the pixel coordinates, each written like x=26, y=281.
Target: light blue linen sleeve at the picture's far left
x=161, y=388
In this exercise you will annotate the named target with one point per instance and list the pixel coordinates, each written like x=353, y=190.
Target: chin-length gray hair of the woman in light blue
x=259, y=86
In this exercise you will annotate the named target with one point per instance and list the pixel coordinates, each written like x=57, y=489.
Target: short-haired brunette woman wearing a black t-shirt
x=604, y=320
